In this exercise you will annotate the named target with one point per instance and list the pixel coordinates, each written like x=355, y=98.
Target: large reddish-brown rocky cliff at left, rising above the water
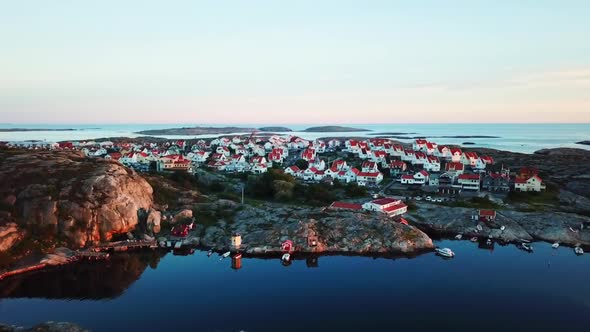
x=74, y=198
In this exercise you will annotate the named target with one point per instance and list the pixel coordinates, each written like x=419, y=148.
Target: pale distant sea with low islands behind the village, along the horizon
x=525, y=138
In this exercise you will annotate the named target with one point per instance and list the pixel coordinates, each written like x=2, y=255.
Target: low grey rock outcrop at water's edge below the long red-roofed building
x=315, y=231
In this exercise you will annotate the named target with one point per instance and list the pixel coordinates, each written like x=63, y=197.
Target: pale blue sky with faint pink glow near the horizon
x=291, y=62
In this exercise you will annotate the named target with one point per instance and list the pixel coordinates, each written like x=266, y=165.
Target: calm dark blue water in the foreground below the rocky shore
x=504, y=289
